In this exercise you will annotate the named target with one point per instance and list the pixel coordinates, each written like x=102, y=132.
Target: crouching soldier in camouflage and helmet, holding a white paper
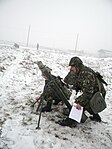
x=86, y=81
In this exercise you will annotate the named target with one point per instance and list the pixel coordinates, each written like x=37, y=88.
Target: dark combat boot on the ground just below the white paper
x=67, y=122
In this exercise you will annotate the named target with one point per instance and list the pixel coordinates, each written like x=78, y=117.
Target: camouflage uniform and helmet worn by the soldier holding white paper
x=86, y=81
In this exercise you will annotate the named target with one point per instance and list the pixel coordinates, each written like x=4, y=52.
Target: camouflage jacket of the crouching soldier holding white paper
x=86, y=81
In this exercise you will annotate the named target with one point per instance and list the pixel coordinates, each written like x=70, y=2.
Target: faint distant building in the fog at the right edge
x=104, y=53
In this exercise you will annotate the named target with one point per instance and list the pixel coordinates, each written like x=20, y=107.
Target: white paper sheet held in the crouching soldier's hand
x=76, y=114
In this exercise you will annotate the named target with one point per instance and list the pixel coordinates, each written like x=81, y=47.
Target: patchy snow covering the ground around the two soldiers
x=21, y=82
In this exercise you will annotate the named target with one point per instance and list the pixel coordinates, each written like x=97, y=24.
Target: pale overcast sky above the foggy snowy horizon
x=56, y=23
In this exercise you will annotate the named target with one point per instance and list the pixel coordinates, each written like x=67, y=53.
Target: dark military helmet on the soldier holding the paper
x=75, y=61
